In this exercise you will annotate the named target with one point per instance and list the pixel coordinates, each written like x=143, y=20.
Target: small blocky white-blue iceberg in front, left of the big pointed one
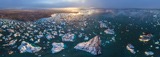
x=57, y=47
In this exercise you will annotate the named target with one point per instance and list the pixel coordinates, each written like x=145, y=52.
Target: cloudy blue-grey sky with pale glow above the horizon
x=80, y=3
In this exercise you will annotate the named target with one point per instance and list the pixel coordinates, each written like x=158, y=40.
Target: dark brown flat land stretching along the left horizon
x=29, y=15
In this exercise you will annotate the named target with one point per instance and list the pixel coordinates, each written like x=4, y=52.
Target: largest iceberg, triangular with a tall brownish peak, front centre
x=92, y=46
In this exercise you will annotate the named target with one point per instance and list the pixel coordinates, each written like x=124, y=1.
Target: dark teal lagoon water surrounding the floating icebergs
x=127, y=28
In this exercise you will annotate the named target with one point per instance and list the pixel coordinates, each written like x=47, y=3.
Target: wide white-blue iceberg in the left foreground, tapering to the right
x=26, y=47
